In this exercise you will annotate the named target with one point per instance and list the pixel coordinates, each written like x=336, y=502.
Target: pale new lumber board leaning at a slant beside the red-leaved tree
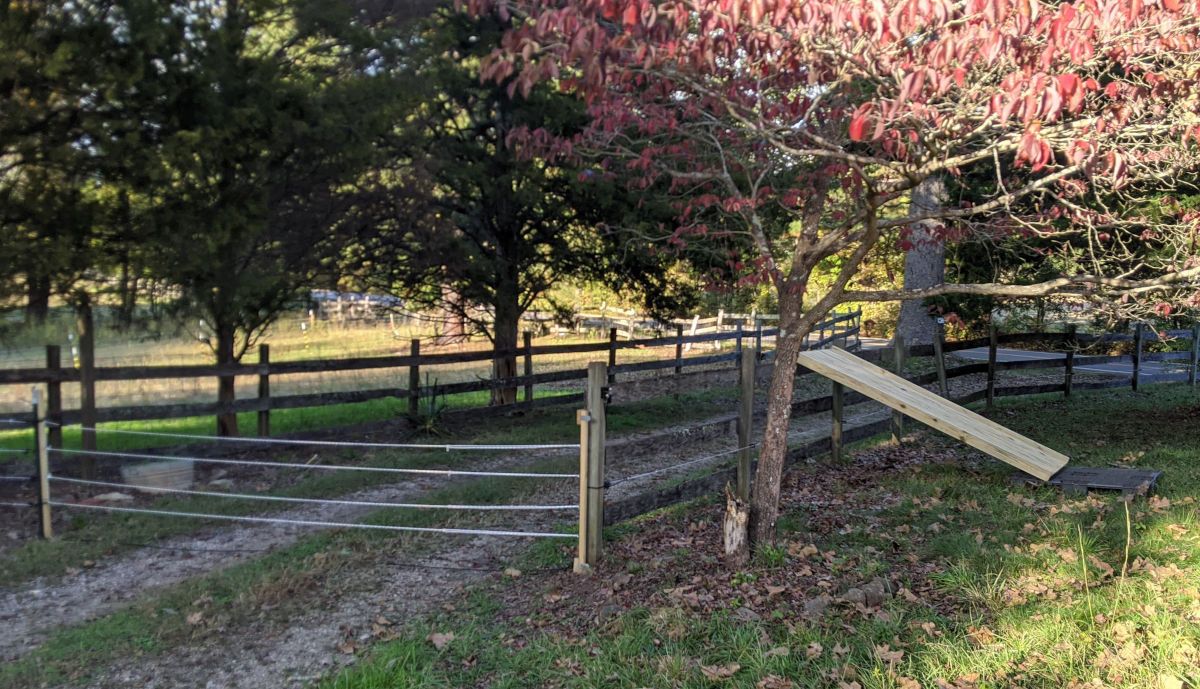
x=965, y=426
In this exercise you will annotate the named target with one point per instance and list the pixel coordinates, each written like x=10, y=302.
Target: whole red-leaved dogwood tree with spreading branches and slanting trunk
x=805, y=125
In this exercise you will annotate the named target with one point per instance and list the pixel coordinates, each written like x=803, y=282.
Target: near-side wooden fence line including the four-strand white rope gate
x=592, y=510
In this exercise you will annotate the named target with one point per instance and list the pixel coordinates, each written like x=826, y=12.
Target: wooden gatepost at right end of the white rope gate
x=592, y=451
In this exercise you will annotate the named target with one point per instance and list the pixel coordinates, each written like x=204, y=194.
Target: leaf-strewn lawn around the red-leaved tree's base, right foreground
x=928, y=570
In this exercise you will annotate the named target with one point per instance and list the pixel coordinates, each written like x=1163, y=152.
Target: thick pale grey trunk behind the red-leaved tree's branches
x=925, y=265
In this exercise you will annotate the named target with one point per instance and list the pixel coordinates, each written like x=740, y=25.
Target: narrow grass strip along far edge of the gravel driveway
x=93, y=536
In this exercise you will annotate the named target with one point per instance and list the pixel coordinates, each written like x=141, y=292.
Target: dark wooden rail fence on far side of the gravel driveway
x=842, y=328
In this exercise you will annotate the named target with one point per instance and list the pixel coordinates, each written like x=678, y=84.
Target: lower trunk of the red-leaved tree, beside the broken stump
x=765, y=499
